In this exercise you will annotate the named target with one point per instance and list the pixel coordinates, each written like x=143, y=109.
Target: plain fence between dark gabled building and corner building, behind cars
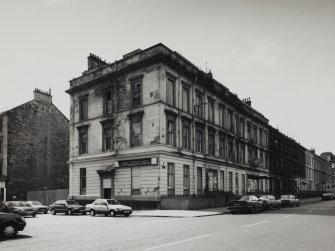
x=47, y=197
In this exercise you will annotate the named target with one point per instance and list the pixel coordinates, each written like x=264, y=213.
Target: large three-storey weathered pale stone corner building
x=153, y=124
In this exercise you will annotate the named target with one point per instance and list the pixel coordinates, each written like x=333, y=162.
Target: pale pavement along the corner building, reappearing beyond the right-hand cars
x=198, y=212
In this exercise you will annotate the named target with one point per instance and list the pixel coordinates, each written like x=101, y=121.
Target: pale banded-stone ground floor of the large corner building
x=148, y=177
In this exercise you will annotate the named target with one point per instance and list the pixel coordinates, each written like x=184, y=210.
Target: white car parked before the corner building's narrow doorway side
x=108, y=207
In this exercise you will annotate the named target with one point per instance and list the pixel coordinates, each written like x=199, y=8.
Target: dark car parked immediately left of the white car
x=67, y=206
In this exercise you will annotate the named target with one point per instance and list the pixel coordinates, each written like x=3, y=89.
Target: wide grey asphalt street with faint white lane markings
x=308, y=227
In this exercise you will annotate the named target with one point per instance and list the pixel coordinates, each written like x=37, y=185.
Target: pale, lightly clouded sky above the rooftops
x=281, y=54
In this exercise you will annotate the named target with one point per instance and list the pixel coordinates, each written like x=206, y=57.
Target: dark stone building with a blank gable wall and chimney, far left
x=34, y=149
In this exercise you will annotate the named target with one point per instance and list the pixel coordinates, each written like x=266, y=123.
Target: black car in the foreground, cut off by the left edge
x=10, y=224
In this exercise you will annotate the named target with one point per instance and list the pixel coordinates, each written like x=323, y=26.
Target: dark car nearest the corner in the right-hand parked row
x=246, y=203
